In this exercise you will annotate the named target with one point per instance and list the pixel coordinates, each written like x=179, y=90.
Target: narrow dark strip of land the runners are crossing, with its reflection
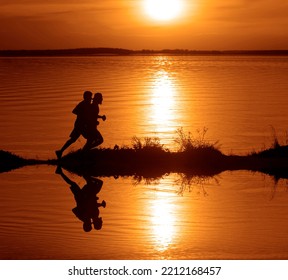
x=152, y=162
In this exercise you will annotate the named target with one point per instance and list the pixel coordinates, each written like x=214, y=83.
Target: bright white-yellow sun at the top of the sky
x=163, y=10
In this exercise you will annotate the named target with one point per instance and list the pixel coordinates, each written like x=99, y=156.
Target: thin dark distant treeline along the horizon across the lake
x=119, y=51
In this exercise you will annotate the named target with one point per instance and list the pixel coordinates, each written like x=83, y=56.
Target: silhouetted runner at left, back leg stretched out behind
x=80, y=125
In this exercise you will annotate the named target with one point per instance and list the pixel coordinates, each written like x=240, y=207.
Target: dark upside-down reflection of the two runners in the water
x=87, y=209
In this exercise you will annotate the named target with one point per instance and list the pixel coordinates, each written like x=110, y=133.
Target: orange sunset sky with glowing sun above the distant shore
x=133, y=24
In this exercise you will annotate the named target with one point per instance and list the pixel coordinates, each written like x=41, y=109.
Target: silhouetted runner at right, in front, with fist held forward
x=94, y=137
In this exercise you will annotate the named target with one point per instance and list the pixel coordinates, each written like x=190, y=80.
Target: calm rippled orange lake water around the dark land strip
x=236, y=215
